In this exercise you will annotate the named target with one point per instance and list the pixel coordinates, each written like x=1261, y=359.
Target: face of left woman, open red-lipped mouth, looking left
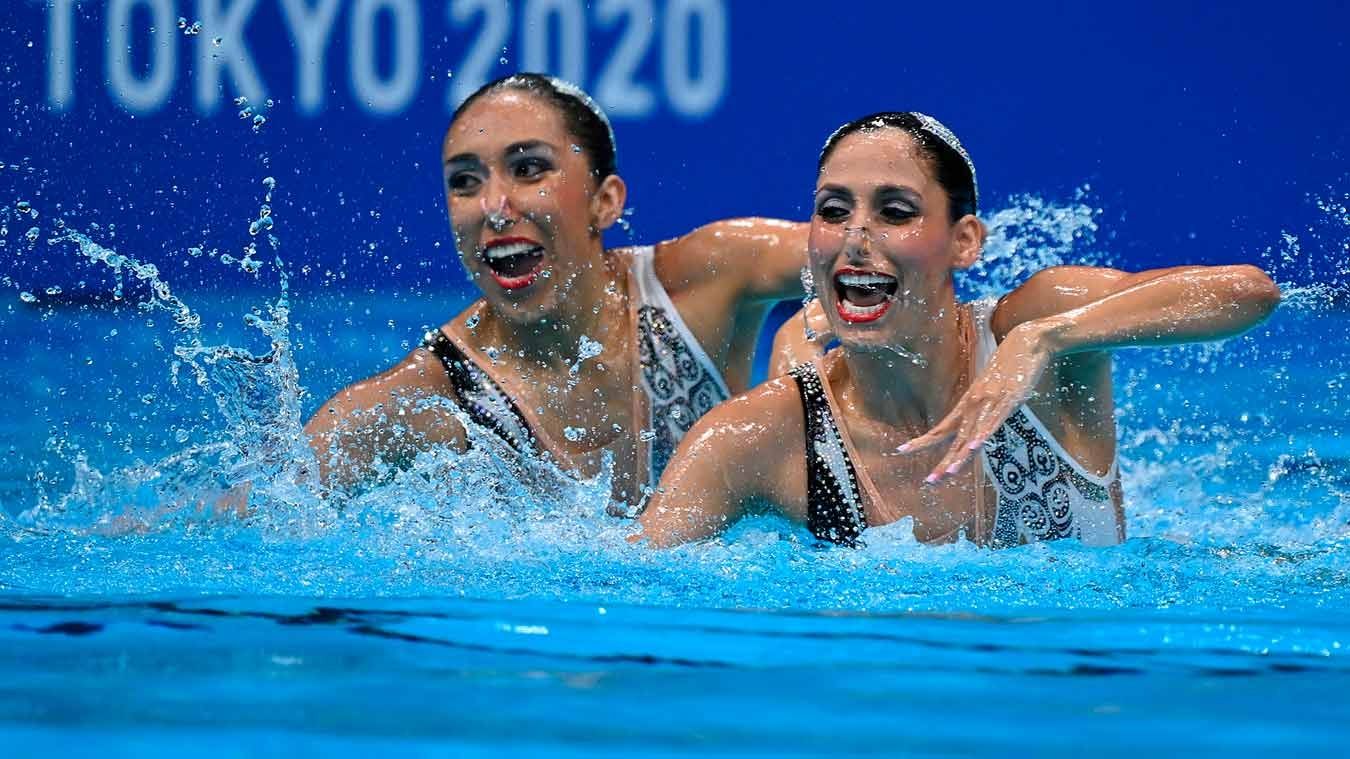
x=524, y=205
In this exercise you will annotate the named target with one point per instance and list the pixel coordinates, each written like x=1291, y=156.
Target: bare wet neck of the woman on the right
x=913, y=395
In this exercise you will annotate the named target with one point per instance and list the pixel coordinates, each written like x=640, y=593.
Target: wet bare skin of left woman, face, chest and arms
x=529, y=215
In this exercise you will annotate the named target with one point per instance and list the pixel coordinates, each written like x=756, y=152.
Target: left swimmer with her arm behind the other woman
x=573, y=350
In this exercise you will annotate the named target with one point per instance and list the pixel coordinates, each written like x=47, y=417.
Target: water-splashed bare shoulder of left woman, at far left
x=388, y=418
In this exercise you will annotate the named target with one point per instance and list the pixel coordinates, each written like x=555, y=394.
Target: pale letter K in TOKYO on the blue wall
x=233, y=53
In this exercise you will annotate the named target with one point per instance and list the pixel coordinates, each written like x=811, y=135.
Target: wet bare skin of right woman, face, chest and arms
x=884, y=251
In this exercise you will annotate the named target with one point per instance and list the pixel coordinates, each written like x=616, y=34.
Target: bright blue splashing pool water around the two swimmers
x=475, y=606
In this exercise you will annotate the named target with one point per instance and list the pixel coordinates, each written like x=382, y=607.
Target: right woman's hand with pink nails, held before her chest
x=1009, y=380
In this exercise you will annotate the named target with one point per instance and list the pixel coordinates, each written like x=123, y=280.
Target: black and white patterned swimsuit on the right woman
x=1043, y=492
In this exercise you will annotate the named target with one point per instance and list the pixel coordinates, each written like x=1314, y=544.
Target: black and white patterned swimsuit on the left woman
x=681, y=382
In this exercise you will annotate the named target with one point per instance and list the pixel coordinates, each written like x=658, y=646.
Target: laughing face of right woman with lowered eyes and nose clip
x=882, y=242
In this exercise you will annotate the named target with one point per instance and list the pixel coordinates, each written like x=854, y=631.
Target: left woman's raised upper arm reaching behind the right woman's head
x=754, y=259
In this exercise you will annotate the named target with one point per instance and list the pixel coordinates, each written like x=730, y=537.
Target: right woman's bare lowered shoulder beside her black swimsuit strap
x=745, y=454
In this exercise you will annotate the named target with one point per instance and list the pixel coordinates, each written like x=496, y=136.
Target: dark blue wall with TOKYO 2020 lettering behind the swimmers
x=1202, y=129
